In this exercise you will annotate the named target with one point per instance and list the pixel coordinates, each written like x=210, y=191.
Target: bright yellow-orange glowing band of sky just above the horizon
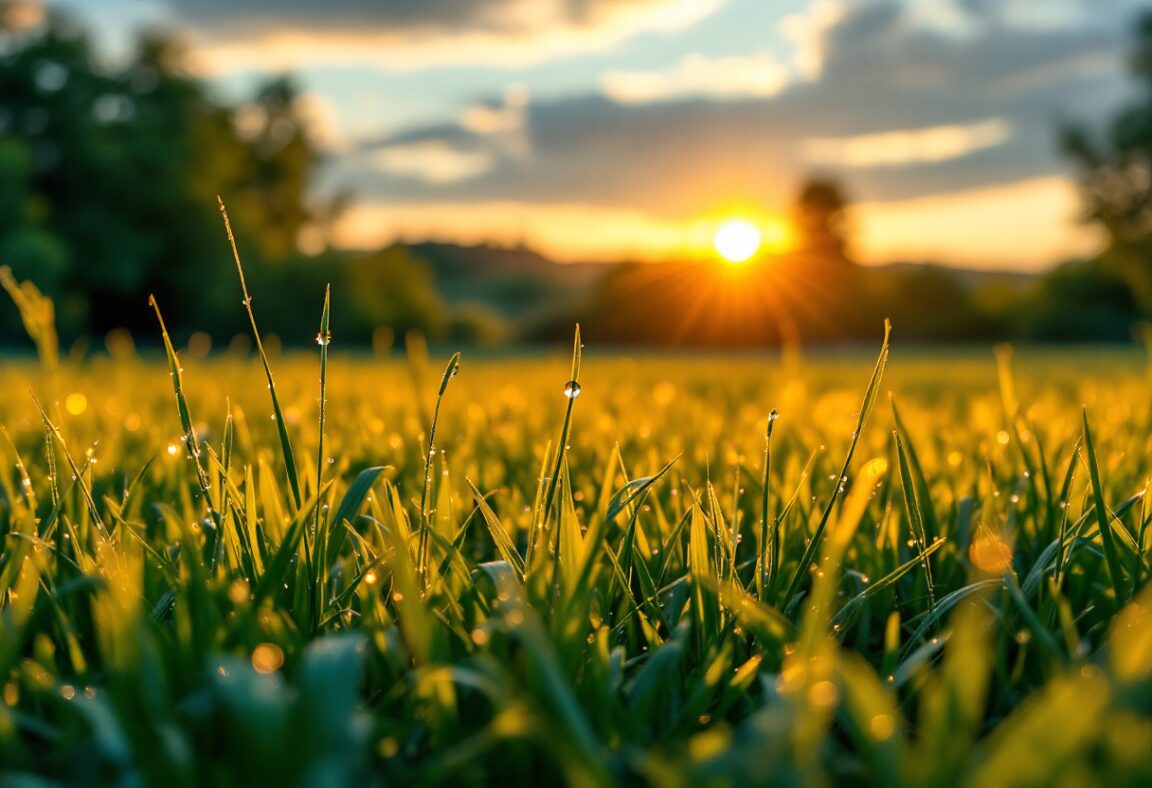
x=981, y=229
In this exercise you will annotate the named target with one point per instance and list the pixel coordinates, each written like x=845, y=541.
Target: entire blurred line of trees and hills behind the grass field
x=109, y=184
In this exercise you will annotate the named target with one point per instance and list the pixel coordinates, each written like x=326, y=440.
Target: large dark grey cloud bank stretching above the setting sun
x=882, y=73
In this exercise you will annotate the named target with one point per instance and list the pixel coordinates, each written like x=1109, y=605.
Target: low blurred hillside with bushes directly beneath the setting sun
x=536, y=299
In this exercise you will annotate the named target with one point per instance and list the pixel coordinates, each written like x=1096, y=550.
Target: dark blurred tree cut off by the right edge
x=1117, y=177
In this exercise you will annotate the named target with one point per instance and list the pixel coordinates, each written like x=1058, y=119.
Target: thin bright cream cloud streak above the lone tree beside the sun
x=905, y=147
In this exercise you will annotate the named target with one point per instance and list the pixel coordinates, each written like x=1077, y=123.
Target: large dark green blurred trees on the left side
x=111, y=177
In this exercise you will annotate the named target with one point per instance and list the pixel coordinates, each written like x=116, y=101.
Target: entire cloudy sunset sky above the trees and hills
x=611, y=130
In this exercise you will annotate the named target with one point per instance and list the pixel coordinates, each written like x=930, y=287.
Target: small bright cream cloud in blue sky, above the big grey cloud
x=760, y=75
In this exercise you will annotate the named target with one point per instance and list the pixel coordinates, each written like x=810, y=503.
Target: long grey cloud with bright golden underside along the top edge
x=404, y=35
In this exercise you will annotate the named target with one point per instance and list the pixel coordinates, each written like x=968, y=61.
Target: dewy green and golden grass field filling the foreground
x=718, y=572
